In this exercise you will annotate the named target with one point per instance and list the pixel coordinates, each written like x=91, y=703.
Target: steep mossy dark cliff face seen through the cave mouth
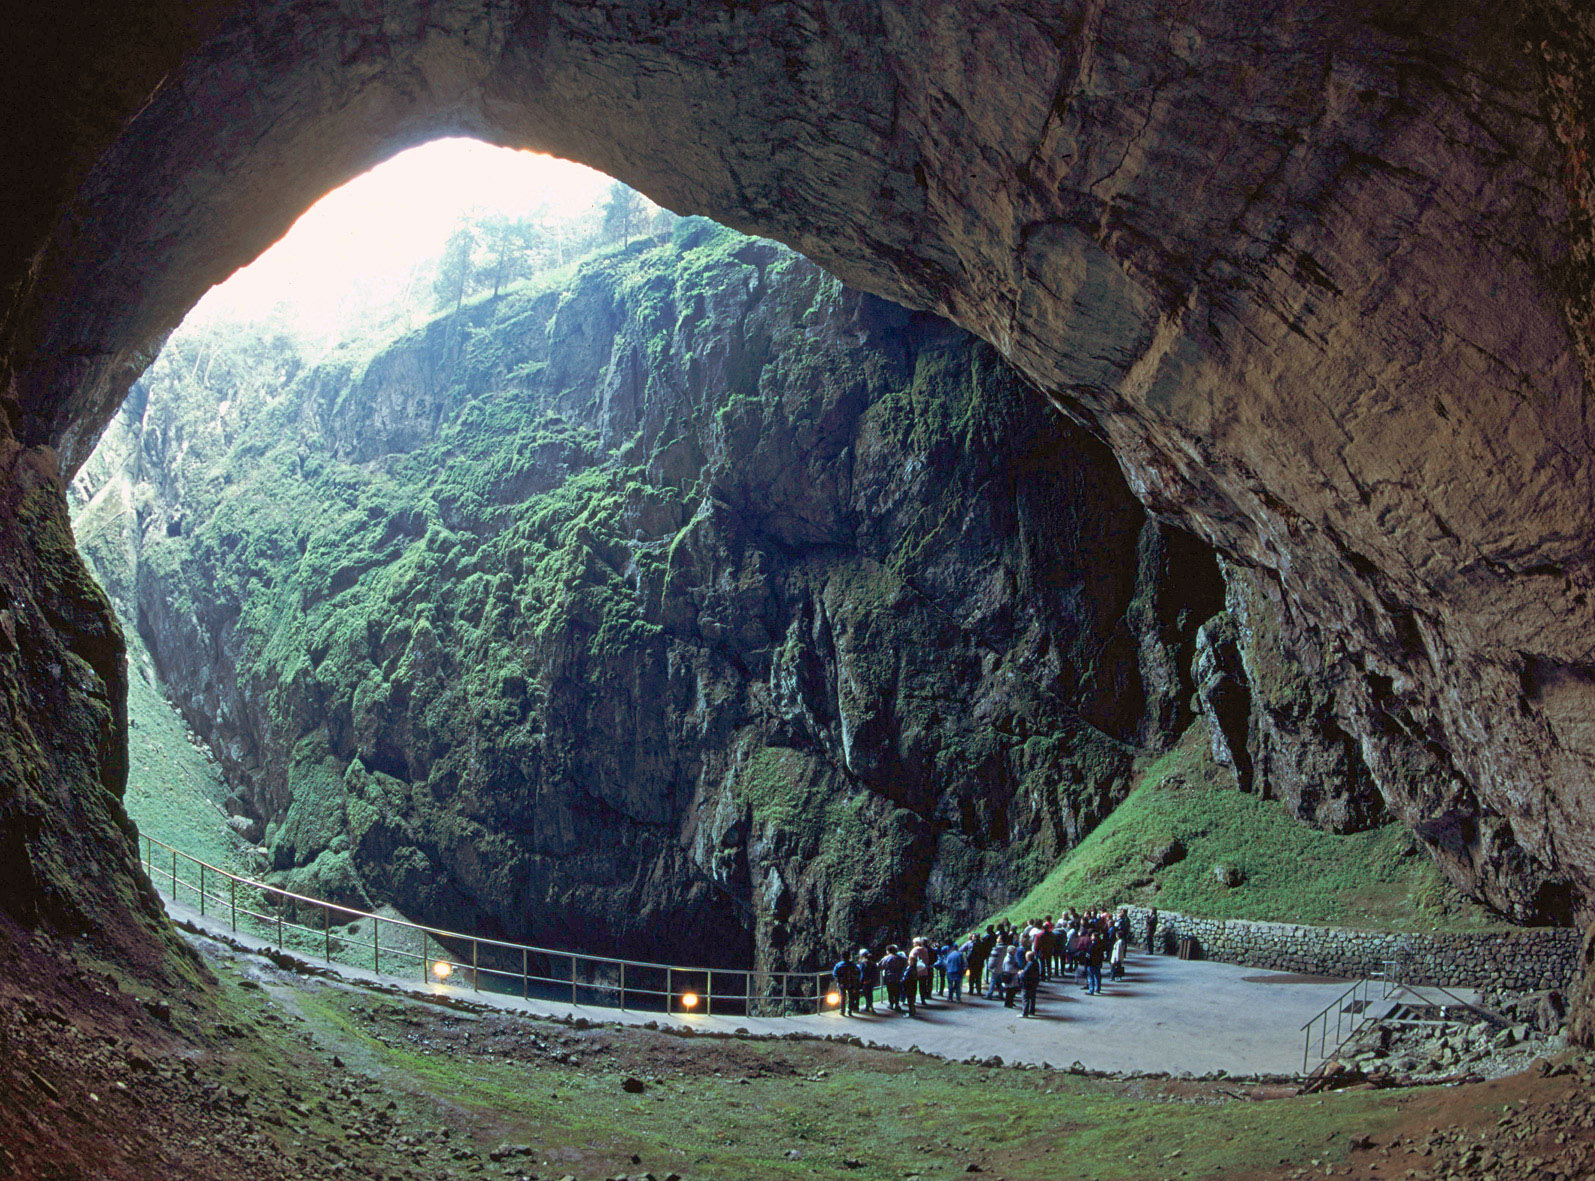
x=687, y=604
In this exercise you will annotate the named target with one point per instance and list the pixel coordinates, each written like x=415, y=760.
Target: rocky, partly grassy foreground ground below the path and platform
x=264, y=1075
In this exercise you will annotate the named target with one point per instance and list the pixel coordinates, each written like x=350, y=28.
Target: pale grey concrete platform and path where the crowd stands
x=1167, y=1016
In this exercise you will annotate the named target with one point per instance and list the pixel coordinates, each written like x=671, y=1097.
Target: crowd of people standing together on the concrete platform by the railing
x=1010, y=962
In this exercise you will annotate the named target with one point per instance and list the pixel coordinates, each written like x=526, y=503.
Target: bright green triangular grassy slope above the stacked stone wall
x=1291, y=874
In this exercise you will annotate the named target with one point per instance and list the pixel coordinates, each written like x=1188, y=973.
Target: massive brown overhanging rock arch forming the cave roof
x=1309, y=271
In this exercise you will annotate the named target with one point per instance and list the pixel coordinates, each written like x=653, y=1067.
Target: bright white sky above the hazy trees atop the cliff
x=360, y=243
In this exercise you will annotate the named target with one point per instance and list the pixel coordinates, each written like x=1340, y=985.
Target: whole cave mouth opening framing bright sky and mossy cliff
x=336, y=813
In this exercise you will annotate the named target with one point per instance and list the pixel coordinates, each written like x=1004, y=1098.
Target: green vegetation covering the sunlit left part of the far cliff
x=420, y=594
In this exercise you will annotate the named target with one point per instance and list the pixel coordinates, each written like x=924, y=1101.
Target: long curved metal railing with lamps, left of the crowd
x=438, y=957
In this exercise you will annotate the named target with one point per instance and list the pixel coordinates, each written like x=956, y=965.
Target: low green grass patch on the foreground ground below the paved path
x=784, y=1110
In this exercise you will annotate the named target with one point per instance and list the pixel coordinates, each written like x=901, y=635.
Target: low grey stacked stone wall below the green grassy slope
x=1516, y=962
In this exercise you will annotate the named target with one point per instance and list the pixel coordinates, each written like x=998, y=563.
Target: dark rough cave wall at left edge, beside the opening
x=63, y=733
